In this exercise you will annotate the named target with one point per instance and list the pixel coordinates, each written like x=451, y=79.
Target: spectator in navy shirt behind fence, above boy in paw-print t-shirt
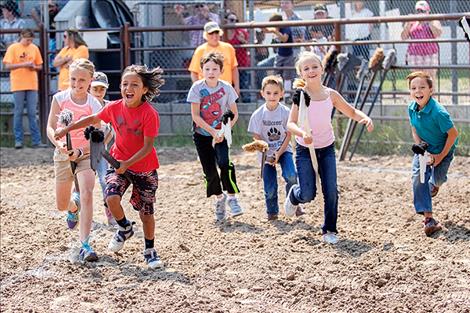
x=285, y=55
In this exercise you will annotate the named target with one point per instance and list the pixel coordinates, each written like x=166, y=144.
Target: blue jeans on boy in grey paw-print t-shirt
x=270, y=181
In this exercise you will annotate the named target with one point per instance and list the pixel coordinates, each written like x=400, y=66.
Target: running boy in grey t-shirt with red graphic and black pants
x=210, y=97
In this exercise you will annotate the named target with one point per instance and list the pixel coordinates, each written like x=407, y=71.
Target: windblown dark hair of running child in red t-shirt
x=151, y=78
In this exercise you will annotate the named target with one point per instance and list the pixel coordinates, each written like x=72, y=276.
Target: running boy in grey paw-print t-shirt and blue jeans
x=269, y=123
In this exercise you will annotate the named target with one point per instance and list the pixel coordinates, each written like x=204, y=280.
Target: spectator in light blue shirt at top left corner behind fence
x=10, y=20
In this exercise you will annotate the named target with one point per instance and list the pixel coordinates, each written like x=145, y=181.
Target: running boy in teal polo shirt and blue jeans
x=432, y=124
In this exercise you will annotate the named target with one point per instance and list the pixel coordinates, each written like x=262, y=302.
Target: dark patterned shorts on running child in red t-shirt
x=144, y=187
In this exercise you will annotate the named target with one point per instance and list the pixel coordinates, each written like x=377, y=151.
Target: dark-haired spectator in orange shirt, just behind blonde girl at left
x=75, y=48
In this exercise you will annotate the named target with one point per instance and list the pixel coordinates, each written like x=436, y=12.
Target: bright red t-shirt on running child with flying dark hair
x=131, y=126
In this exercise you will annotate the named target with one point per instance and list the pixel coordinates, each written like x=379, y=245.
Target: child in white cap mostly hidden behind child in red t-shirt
x=99, y=86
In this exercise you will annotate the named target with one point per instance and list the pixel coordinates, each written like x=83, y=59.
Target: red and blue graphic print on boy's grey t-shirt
x=210, y=108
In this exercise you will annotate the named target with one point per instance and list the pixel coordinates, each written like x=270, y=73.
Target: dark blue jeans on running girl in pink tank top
x=306, y=190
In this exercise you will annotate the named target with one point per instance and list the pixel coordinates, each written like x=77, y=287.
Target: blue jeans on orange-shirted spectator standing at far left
x=31, y=99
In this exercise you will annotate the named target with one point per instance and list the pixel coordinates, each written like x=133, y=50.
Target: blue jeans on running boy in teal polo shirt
x=434, y=176
